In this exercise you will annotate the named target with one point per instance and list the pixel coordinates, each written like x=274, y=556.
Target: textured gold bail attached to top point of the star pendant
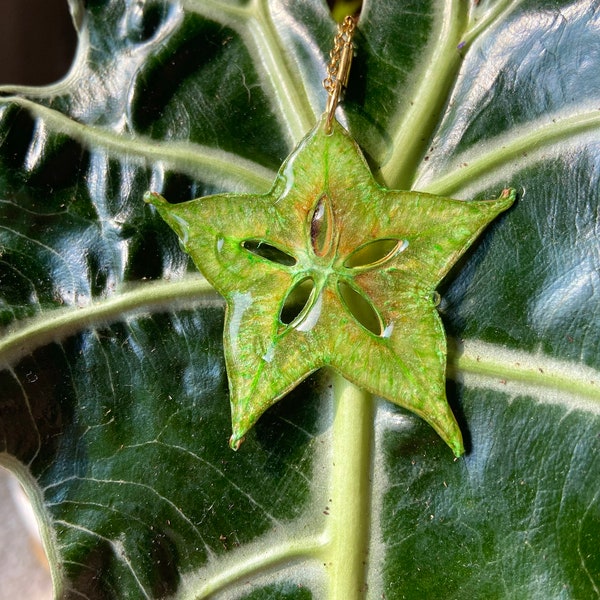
x=338, y=69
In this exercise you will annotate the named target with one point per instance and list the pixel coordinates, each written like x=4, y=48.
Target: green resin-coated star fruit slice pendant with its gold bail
x=330, y=269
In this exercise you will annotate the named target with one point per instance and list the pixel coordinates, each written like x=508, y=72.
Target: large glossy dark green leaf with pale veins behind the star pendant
x=114, y=406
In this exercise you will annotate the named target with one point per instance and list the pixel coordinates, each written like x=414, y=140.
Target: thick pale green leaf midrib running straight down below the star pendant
x=348, y=530
